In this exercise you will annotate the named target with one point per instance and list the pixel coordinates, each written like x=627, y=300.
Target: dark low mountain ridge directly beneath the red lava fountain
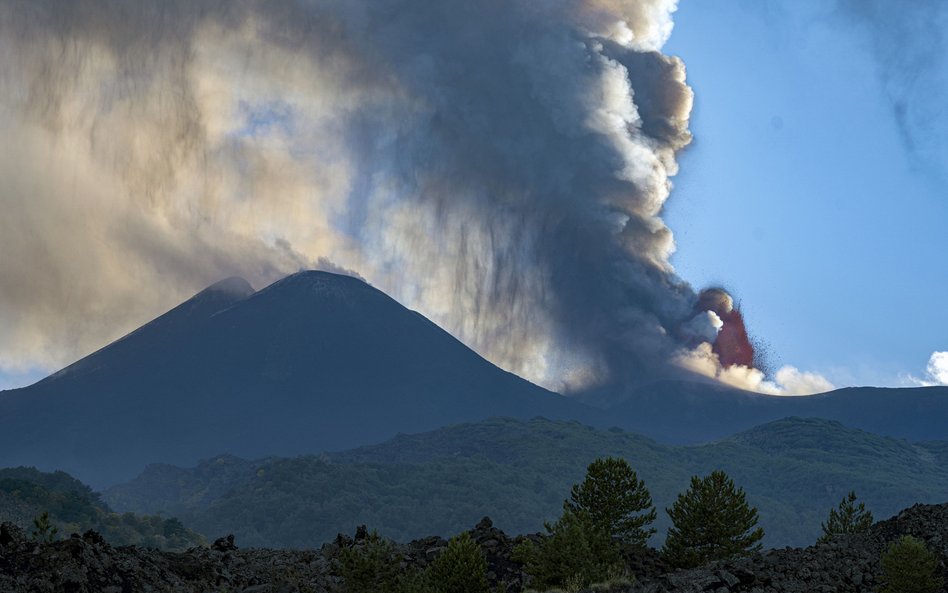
x=695, y=412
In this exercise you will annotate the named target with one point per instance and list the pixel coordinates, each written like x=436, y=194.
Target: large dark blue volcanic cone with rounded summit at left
x=315, y=361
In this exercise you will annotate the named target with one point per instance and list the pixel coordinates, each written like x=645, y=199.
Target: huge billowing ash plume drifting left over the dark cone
x=500, y=166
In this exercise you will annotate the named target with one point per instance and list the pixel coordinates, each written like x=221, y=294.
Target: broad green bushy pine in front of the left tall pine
x=575, y=553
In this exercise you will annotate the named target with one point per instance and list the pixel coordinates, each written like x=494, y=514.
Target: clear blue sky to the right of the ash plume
x=800, y=194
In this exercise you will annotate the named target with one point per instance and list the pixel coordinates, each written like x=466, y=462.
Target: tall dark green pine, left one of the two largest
x=615, y=500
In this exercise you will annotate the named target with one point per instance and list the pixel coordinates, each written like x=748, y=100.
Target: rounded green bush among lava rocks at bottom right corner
x=908, y=566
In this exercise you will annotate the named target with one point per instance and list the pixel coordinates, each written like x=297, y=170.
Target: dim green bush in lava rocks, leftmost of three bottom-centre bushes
x=370, y=566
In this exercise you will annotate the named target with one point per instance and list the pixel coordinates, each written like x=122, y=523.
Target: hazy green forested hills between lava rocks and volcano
x=518, y=473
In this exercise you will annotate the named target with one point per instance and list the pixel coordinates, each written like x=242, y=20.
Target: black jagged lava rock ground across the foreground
x=87, y=563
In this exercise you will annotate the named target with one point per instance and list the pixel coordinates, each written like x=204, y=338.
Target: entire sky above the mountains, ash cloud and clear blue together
x=812, y=189
